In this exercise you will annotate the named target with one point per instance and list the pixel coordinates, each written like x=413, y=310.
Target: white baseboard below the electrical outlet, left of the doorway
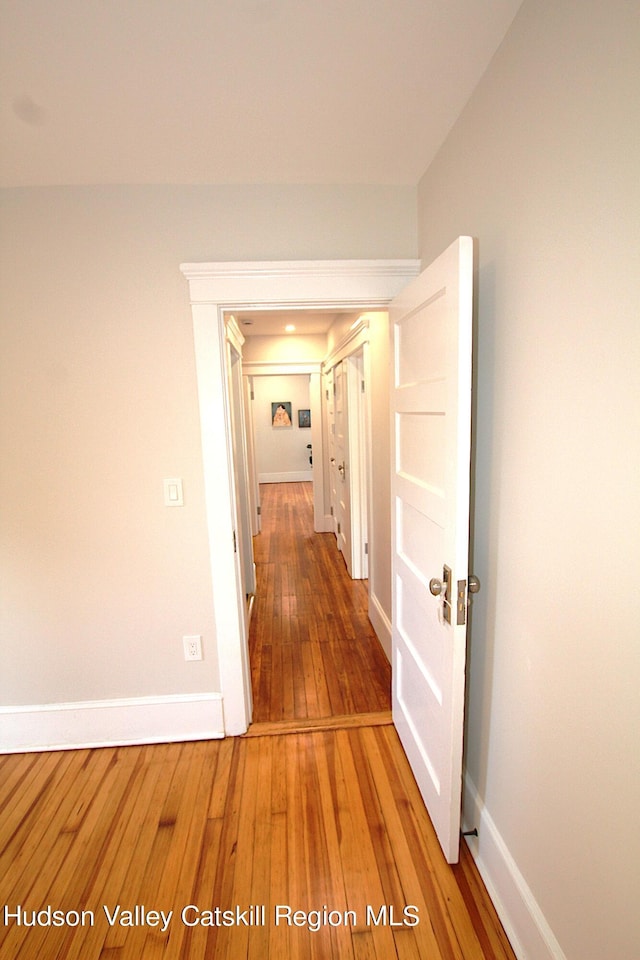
x=106, y=723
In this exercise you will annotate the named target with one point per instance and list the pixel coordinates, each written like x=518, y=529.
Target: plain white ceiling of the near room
x=236, y=91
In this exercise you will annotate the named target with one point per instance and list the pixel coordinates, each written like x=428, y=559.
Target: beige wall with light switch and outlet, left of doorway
x=100, y=580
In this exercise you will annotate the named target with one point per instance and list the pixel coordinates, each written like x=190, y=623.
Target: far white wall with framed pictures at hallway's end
x=281, y=452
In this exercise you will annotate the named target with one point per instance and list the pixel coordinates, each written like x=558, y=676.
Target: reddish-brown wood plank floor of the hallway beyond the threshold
x=313, y=650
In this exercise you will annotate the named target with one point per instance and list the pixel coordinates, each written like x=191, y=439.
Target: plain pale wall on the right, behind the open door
x=543, y=168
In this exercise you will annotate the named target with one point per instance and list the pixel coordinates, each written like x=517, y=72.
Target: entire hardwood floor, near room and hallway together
x=306, y=839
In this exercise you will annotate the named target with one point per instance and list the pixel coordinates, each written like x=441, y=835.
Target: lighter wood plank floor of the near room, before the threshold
x=328, y=821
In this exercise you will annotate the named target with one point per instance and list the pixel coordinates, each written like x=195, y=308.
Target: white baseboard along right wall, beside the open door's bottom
x=525, y=925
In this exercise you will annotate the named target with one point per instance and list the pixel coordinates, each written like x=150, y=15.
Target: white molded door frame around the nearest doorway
x=216, y=289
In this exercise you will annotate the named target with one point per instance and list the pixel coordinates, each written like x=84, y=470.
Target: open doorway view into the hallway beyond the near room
x=312, y=648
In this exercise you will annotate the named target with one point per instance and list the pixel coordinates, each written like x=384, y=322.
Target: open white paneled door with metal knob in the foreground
x=431, y=322
